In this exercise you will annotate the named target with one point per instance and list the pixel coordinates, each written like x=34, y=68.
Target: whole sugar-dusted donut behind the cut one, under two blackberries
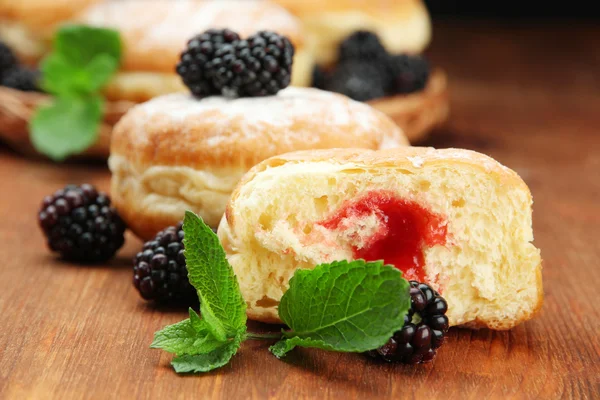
x=177, y=153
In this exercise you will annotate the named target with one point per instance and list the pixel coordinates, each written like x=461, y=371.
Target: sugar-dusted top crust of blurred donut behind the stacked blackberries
x=154, y=32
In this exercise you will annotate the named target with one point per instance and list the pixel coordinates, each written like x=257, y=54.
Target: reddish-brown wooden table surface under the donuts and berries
x=527, y=94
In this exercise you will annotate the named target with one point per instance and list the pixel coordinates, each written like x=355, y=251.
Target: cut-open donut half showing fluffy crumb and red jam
x=454, y=219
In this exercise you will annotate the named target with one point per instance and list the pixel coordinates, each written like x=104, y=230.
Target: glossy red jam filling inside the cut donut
x=405, y=229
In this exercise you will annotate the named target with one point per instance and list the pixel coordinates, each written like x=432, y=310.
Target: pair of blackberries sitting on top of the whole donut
x=219, y=62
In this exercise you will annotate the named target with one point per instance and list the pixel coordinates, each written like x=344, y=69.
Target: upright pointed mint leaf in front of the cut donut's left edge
x=221, y=303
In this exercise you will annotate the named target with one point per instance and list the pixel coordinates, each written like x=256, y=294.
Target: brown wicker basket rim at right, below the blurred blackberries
x=418, y=113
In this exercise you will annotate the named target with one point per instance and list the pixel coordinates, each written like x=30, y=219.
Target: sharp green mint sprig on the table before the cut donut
x=343, y=306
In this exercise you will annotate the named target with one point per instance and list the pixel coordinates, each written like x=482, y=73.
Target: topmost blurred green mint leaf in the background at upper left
x=80, y=44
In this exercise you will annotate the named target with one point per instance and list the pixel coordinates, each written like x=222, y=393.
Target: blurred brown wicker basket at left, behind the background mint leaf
x=16, y=108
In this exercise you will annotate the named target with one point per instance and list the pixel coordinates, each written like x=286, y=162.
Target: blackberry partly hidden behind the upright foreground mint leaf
x=159, y=270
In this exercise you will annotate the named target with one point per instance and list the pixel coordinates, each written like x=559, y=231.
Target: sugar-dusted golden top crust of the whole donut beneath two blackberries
x=243, y=132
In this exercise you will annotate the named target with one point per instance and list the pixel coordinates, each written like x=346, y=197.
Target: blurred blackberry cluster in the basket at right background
x=366, y=71
